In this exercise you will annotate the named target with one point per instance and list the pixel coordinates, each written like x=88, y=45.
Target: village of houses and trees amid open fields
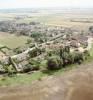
x=46, y=42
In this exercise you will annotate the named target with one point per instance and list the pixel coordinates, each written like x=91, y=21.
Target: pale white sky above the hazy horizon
x=4, y=4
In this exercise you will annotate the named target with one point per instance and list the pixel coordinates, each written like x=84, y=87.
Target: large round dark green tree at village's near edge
x=54, y=63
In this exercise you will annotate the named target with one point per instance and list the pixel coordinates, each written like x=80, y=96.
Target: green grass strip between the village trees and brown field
x=26, y=79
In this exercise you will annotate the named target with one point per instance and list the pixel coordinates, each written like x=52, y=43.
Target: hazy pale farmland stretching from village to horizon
x=53, y=17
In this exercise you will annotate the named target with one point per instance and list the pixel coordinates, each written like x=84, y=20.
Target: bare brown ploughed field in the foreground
x=73, y=85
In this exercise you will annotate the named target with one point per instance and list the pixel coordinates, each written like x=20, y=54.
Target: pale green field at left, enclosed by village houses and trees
x=12, y=41
